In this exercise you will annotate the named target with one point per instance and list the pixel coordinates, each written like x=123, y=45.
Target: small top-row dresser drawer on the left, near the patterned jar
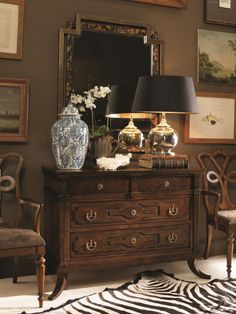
x=98, y=185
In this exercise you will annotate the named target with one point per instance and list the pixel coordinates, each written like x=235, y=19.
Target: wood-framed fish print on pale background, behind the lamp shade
x=215, y=122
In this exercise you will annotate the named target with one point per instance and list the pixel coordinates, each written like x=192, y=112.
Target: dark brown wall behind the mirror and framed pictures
x=176, y=27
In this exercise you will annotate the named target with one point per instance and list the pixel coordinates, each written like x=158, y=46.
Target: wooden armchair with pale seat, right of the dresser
x=220, y=177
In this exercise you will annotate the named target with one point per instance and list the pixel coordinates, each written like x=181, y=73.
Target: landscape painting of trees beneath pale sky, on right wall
x=216, y=57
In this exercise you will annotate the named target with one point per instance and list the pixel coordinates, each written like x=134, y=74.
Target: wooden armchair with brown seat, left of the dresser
x=15, y=239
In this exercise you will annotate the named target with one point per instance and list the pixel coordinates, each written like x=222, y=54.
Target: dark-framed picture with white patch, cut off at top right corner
x=222, y=12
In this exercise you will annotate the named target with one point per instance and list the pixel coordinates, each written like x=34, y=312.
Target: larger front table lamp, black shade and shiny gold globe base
x=164, y=94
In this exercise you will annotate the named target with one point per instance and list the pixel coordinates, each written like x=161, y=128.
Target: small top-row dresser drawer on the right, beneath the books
x=152, y=184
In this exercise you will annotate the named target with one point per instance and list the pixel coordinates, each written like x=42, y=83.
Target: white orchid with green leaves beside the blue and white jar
x=88, y=102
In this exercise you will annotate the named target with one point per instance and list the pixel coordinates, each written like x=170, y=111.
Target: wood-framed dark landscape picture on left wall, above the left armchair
x=14, y=95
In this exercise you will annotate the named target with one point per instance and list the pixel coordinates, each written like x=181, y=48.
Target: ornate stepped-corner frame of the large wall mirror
x=84, y=23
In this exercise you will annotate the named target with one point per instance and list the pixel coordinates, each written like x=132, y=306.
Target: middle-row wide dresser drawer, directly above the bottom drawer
x=85, y=214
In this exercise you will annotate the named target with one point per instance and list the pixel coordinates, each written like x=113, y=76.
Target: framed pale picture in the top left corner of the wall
x=11, y=28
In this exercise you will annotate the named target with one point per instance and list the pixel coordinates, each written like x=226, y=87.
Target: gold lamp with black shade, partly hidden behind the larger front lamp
x=119, y=106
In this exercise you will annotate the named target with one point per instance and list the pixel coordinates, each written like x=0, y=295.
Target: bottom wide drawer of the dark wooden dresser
x=126, y=241
